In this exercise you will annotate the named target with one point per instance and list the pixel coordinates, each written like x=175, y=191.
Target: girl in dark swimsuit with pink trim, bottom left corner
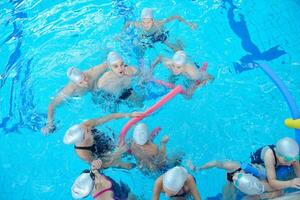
x=100, y=186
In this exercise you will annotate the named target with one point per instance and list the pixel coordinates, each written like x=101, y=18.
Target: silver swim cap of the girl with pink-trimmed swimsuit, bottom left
x=83, y=185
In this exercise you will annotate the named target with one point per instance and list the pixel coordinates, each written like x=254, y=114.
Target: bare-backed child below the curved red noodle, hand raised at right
x=147, y=154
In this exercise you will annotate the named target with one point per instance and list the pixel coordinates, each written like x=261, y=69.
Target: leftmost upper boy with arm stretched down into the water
x=80, y=83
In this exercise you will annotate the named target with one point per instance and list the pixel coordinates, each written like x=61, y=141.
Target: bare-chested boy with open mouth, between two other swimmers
x=115, y=85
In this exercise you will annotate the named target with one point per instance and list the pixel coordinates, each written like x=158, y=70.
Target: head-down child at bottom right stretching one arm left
x=247, y=178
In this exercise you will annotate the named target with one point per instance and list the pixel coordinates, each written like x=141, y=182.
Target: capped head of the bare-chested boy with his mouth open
x=116, y=63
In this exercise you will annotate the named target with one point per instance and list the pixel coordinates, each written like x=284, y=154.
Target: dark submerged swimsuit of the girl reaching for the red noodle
x=103, y=143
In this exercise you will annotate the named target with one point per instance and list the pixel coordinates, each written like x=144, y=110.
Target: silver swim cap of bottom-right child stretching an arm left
x=249, y=184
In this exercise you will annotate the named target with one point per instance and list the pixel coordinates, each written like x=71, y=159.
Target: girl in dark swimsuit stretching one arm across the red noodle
x=92, y=144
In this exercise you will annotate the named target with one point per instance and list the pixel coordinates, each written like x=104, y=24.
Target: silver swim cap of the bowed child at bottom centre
x=175, y=178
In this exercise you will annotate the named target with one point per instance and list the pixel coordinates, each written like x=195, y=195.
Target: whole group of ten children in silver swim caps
x=113, y=81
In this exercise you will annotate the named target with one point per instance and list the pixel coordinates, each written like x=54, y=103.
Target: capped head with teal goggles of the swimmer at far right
x=287, y=151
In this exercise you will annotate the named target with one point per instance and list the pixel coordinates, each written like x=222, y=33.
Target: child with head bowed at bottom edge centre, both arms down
x=176, y=183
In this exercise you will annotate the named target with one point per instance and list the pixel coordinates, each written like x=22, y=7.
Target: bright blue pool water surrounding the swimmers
x=229, y=118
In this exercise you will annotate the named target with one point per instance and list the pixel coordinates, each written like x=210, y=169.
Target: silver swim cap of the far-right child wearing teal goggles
x=288, y=147
